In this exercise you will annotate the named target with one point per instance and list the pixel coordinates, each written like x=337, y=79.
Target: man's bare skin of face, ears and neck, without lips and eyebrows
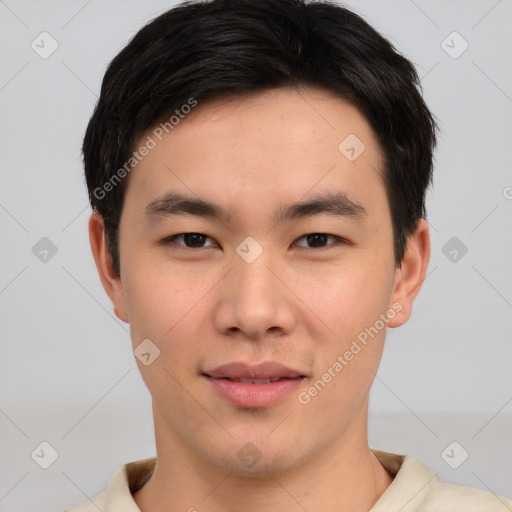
x=297, y=304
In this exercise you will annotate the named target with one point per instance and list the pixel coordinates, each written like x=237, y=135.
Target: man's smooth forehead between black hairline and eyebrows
x=265, y=147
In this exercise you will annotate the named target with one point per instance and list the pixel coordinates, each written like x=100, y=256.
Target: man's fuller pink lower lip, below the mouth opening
x=250, y=395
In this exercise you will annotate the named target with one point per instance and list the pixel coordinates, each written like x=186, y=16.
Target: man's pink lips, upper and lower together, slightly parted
x=254, y=395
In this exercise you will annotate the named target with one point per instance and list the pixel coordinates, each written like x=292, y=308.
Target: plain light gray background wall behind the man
x=67, y=373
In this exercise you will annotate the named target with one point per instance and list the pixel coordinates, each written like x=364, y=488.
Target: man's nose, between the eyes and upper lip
x=254, y=301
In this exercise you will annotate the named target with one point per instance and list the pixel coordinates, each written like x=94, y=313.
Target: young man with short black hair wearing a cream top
x=258, y=171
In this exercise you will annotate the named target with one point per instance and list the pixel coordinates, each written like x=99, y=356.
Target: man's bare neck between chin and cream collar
x=346, y=475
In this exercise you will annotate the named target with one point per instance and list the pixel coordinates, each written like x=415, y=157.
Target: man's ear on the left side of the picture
x=109, y=279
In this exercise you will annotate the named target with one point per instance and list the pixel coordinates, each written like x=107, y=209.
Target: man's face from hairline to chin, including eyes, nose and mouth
x=251, y=279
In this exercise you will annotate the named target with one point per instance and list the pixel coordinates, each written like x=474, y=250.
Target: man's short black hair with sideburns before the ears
x=207, y=50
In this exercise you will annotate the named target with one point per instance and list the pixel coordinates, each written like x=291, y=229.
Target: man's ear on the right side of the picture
x=411, y=274
